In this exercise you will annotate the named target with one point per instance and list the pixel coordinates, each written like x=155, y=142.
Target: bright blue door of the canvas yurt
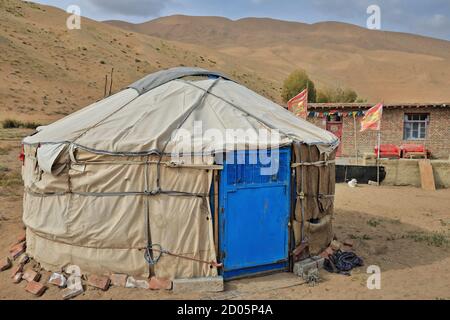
x=254, y=213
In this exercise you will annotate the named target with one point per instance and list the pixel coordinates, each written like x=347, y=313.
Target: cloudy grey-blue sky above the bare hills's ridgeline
x=425, y=17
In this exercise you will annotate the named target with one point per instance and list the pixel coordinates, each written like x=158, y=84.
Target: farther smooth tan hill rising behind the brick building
x=389, y=66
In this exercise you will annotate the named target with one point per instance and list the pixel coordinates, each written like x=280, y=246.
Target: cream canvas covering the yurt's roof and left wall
x=100, y=184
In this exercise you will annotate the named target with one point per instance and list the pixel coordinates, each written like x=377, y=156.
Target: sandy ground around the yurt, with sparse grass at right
x=403, y=230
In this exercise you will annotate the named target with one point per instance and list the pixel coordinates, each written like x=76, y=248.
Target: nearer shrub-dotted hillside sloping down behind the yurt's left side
x=48, y=71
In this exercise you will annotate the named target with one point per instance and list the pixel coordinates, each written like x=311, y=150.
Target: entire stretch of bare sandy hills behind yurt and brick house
x=48, y=71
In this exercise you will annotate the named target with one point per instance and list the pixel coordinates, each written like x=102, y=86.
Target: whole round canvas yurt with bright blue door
x=107, y=189
